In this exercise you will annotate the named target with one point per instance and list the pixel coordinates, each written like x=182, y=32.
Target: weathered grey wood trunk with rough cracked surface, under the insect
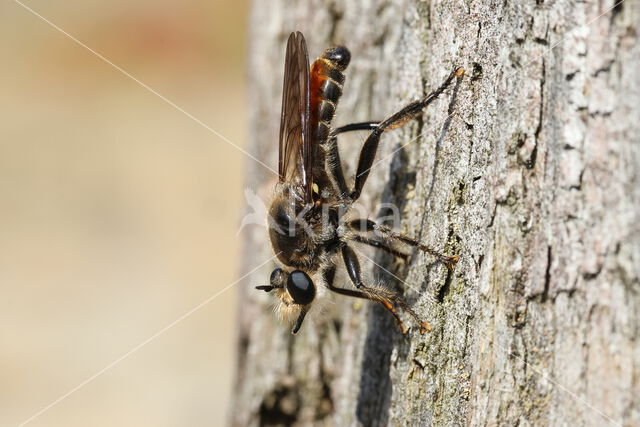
x=535, y=185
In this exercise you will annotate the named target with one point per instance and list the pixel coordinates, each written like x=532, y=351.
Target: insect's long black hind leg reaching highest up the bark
x=370, y=147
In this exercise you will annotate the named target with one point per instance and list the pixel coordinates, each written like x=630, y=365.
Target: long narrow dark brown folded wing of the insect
x=296, y=154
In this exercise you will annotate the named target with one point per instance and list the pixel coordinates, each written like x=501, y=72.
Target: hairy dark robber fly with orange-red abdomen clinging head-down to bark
x=309, y=223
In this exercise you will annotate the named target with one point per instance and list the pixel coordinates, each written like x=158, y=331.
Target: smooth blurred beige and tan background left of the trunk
x=118, y=213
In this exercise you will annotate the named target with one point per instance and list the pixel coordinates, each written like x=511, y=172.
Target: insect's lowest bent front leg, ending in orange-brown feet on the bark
x=387, y=299
